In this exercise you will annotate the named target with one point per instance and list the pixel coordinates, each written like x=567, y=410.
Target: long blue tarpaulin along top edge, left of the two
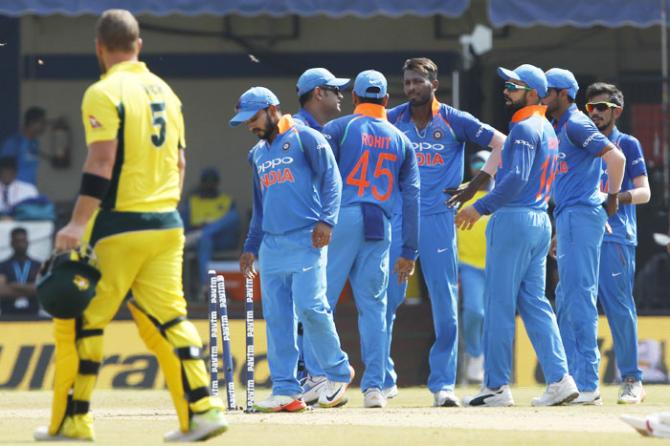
x=362, y=8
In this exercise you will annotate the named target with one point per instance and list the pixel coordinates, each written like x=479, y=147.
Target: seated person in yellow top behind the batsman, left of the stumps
x=212, y=221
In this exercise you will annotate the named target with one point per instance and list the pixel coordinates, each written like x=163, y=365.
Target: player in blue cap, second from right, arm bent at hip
x=580, y=216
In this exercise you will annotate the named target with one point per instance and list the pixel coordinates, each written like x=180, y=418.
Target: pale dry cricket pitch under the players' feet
x=141, y=417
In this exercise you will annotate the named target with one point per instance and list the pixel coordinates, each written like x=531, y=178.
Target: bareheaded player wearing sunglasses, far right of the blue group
x=617, y=254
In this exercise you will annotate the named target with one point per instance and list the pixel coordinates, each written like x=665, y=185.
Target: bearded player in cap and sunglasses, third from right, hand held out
x=518, y=237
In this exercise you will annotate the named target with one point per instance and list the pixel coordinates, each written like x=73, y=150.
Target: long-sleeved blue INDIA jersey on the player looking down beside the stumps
x=296, y=183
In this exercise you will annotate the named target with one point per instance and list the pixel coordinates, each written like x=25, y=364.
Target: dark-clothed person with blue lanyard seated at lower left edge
x=17, y=278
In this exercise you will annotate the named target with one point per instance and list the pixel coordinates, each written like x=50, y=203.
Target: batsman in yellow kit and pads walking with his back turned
x=126, y=210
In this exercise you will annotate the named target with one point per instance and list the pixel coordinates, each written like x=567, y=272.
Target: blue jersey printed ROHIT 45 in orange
x=378, y=166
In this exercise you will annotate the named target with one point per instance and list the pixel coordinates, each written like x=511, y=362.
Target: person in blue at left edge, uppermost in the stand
x=24, y=145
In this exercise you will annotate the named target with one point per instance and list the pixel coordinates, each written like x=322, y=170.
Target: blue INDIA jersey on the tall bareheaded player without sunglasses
x=440, y=148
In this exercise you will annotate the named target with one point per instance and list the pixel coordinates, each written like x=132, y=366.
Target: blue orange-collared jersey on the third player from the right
x=528, y=164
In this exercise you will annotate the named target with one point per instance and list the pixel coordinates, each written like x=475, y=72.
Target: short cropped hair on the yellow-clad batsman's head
x=118, y=31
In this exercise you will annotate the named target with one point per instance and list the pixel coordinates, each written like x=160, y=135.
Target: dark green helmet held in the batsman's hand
x=66, y=283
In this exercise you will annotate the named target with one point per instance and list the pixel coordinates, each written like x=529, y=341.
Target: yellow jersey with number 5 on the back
x=137, y=108
